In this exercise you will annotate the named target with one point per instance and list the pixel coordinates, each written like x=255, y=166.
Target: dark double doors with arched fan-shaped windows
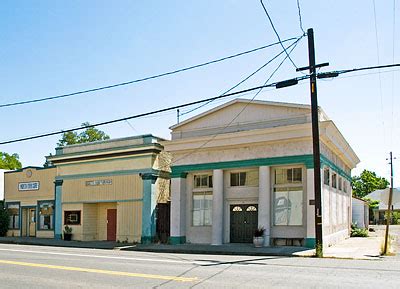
x=244, y=221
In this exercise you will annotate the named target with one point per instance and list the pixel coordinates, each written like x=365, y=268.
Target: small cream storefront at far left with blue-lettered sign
x=29, y=197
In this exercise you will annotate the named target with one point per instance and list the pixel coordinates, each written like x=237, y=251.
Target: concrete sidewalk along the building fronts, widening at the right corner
x=351, y=248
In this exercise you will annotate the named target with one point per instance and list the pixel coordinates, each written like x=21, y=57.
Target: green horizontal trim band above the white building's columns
x=182, y=170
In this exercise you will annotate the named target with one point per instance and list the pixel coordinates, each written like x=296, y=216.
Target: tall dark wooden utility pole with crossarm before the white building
x=315, y=138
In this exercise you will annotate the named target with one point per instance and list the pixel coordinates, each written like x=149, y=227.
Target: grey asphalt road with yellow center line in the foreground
x=50, y=267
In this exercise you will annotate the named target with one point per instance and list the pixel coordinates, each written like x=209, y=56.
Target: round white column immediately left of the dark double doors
x=218, y=207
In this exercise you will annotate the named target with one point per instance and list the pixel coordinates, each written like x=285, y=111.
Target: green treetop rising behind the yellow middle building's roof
x=90, y=134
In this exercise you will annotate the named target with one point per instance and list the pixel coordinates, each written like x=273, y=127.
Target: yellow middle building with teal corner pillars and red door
x=109, y=190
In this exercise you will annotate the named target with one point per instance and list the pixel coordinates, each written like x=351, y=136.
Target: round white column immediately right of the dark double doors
x=264, y=202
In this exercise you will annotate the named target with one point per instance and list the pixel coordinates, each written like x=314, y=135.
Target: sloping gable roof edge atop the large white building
x=237, y=100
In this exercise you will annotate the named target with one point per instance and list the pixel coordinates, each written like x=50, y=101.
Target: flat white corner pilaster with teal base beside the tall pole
x=310, y=203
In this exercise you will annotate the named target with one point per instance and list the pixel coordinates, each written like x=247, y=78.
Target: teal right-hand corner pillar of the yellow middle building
x=149, y=204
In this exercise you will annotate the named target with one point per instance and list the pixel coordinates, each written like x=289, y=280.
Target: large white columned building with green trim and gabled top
x=244, y=165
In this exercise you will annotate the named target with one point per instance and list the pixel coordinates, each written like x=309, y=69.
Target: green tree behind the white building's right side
x=366, y=183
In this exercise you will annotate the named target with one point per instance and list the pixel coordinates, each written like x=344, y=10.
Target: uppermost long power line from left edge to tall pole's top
x=145, y=78
